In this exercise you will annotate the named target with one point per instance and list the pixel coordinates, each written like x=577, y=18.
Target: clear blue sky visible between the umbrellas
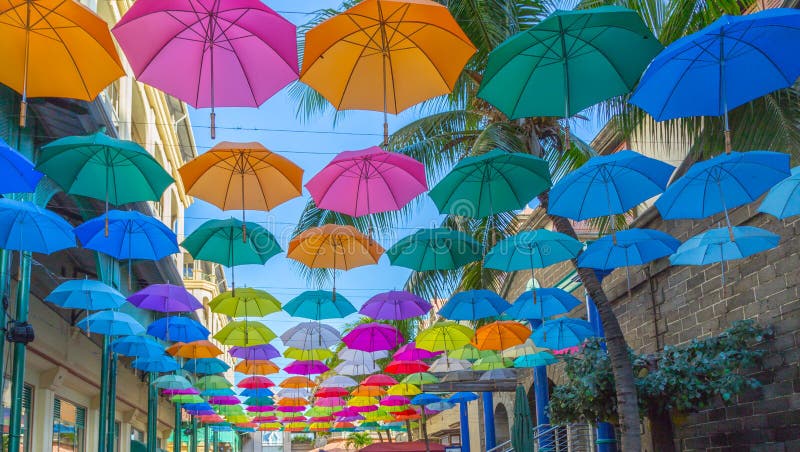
x=311, y=145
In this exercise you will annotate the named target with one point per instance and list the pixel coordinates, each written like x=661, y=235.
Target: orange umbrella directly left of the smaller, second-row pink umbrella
x=242, y=176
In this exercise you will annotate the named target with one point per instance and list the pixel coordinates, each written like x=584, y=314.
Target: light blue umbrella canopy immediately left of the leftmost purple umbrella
x=85, y=294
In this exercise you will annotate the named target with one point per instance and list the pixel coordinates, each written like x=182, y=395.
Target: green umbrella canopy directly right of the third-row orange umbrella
x=435, y=249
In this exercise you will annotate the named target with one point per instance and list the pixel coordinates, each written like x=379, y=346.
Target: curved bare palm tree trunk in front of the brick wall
x=627, y=402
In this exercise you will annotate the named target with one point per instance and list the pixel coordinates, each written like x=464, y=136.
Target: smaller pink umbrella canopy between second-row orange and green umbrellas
x=371, y=180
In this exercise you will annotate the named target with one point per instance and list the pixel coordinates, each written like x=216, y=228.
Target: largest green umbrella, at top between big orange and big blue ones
x=569, y=61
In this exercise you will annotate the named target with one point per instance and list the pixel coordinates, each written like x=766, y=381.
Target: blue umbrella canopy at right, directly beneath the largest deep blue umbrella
x=722, y=183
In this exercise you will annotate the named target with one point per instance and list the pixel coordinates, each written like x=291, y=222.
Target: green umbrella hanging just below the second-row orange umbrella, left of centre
x=225, y=242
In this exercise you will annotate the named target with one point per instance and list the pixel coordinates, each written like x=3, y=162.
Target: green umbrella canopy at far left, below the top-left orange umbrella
x=104, y=168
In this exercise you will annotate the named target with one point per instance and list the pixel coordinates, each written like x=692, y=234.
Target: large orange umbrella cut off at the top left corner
x=55, y=48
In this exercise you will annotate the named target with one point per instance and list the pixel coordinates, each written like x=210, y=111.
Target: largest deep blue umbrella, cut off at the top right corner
x=732, y=61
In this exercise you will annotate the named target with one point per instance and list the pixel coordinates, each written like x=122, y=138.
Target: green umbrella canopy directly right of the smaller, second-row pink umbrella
x=497, y=181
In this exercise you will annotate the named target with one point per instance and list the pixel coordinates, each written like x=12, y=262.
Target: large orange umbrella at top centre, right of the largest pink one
x=385, y=55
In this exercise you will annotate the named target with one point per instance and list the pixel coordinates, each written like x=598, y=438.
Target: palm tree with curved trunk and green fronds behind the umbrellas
x=461, y=125
